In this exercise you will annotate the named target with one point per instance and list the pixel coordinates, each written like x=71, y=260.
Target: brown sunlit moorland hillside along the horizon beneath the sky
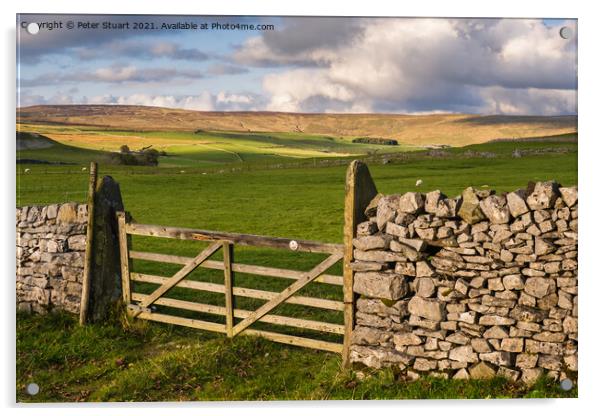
x=449, y=129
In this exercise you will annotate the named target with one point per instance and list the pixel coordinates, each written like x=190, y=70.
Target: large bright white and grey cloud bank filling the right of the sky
x=409, y=65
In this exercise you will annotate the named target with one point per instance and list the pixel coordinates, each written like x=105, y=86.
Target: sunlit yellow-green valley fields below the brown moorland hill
x=194, y=149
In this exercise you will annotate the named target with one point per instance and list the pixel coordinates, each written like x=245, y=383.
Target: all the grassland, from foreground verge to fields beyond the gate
x=144, y=361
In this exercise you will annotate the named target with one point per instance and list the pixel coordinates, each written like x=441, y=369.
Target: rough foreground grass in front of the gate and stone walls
x=121, y=361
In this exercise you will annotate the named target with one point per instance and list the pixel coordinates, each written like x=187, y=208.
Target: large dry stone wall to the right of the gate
x=469, y=287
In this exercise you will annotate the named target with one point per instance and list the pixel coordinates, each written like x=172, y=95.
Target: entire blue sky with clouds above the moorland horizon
x=301, y=64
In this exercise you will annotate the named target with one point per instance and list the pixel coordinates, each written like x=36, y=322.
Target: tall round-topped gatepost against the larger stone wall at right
x=359, y=191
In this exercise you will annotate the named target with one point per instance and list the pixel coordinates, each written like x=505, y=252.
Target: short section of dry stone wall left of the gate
x=51, y=242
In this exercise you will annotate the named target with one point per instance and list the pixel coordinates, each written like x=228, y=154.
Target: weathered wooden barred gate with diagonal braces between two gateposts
x=140, y=304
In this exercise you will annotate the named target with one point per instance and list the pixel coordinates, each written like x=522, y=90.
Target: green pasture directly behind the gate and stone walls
x=296, y=203
